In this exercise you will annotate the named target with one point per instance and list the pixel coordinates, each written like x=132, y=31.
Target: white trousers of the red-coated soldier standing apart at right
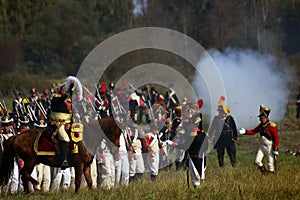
x=265, y=150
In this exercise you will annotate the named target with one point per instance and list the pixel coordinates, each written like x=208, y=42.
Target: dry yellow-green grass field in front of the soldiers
x=242, y=182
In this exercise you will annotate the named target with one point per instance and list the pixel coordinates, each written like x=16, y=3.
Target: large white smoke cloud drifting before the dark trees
x=250, y=79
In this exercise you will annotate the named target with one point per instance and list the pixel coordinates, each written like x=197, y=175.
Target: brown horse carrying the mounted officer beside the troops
x=22, y=146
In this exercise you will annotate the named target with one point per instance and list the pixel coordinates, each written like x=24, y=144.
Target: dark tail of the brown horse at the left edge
x=7, y=161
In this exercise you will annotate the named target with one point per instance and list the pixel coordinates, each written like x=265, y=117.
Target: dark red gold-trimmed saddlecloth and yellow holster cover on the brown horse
x=44, y=145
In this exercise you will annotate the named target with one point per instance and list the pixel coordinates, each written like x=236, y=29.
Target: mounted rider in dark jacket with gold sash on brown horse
x=61, y=115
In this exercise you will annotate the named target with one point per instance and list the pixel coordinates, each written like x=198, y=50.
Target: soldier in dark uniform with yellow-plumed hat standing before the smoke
x=225, y=133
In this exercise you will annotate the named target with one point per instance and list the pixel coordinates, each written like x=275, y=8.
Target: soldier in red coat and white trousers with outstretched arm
x=269, y=140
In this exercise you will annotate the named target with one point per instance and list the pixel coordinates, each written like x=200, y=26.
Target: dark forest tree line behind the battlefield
x=52, y=38
